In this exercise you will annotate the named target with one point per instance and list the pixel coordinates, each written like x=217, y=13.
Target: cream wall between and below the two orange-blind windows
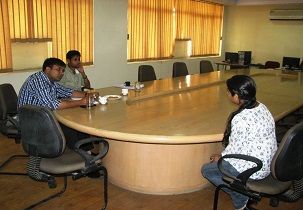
x=110, y=53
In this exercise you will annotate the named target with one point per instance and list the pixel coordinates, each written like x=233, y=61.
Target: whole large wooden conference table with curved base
x=160, y=137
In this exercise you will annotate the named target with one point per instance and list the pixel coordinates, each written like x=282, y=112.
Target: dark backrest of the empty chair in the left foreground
x=41, y=134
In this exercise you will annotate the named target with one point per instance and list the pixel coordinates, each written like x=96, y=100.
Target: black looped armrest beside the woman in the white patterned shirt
x=244, y=176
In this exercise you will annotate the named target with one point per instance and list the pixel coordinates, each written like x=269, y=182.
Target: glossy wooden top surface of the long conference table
x=182, y=110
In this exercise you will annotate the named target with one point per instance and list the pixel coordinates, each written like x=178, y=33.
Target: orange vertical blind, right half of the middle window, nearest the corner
x=201, y=22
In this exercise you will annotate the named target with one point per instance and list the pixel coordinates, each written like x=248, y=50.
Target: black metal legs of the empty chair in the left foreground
x=102, y=168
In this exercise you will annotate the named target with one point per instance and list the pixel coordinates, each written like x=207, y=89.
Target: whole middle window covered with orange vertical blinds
x=153, y=27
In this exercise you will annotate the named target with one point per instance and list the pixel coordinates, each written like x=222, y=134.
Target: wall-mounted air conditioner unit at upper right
x=286, y=14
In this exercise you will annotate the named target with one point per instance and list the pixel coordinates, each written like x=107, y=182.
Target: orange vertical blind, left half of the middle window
x=150, y=29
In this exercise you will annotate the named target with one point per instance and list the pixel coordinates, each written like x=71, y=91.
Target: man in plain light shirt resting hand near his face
x=74, y=76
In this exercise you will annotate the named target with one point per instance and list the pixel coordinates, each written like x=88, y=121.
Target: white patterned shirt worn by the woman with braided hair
x=252, y=133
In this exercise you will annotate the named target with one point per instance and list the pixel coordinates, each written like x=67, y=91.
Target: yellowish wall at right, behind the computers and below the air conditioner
x=249, y=28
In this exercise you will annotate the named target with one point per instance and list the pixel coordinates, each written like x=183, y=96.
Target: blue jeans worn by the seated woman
x=212, y=173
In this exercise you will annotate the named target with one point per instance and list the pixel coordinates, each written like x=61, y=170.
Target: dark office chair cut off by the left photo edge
x=9, y=125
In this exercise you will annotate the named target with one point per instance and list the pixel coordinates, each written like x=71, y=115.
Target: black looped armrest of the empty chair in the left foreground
x=89, y=159
